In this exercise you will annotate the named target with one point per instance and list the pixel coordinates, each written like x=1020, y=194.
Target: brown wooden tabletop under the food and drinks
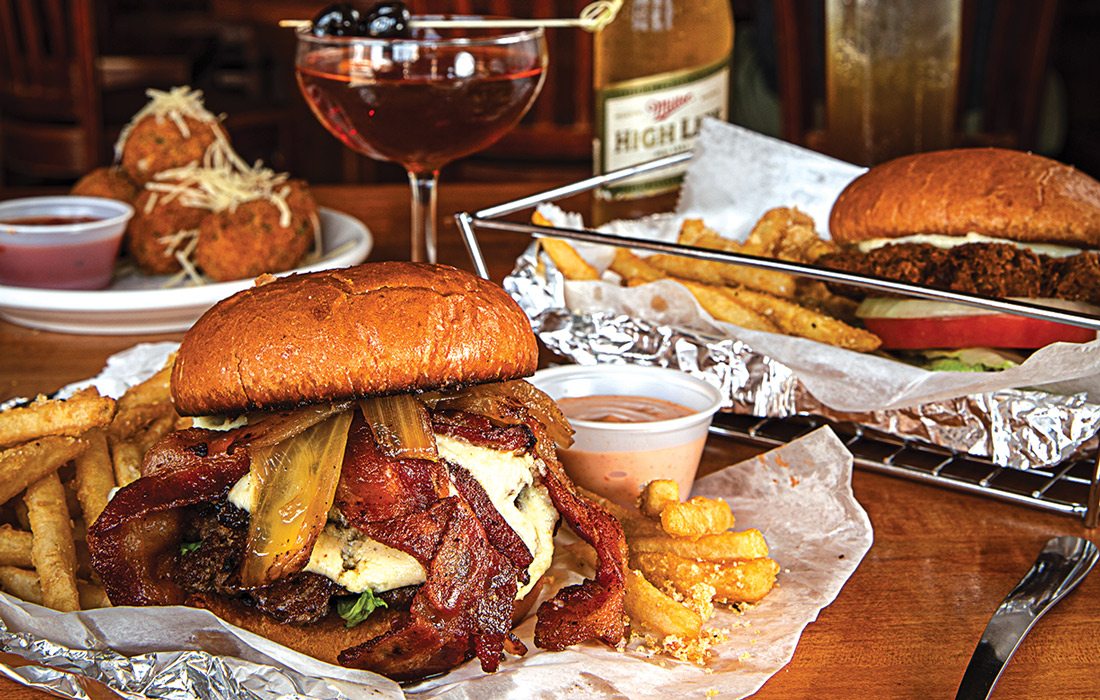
x=907, y=621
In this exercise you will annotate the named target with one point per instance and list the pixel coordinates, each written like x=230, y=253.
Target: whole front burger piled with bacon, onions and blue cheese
x=381, y=491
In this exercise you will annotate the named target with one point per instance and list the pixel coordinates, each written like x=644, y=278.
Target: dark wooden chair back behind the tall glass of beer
x=1005, y=51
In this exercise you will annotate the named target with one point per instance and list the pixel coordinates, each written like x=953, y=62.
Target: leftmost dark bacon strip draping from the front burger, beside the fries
x=138, y=534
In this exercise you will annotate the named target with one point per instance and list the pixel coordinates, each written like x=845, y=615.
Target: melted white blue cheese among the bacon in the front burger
x=358, y=563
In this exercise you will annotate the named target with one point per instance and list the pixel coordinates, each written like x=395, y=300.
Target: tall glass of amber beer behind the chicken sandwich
x=892, y=76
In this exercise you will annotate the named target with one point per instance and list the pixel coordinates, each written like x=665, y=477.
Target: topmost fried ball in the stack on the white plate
x=157, y=144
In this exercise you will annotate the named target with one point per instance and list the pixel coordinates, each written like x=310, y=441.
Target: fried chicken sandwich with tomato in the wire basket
x=989, y=222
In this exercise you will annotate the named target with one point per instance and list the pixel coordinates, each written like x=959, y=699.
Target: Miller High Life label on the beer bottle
x=654, y=117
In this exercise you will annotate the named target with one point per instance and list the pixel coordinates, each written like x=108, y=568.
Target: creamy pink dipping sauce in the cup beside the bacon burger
x=621, y=476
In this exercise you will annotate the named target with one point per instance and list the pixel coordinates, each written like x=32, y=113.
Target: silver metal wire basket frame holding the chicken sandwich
x=1073, y=487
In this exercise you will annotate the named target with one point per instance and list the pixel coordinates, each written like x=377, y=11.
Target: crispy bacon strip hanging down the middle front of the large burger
x=465, y=608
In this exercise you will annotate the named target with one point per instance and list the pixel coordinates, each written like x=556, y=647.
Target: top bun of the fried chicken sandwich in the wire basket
x=996, y=192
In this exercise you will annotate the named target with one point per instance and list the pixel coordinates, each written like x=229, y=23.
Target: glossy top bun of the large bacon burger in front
x=378, y=329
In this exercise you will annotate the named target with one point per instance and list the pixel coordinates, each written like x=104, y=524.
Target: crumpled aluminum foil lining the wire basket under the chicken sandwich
x=1022, y=430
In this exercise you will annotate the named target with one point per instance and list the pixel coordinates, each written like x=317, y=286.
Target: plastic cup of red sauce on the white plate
x=62, y=243
